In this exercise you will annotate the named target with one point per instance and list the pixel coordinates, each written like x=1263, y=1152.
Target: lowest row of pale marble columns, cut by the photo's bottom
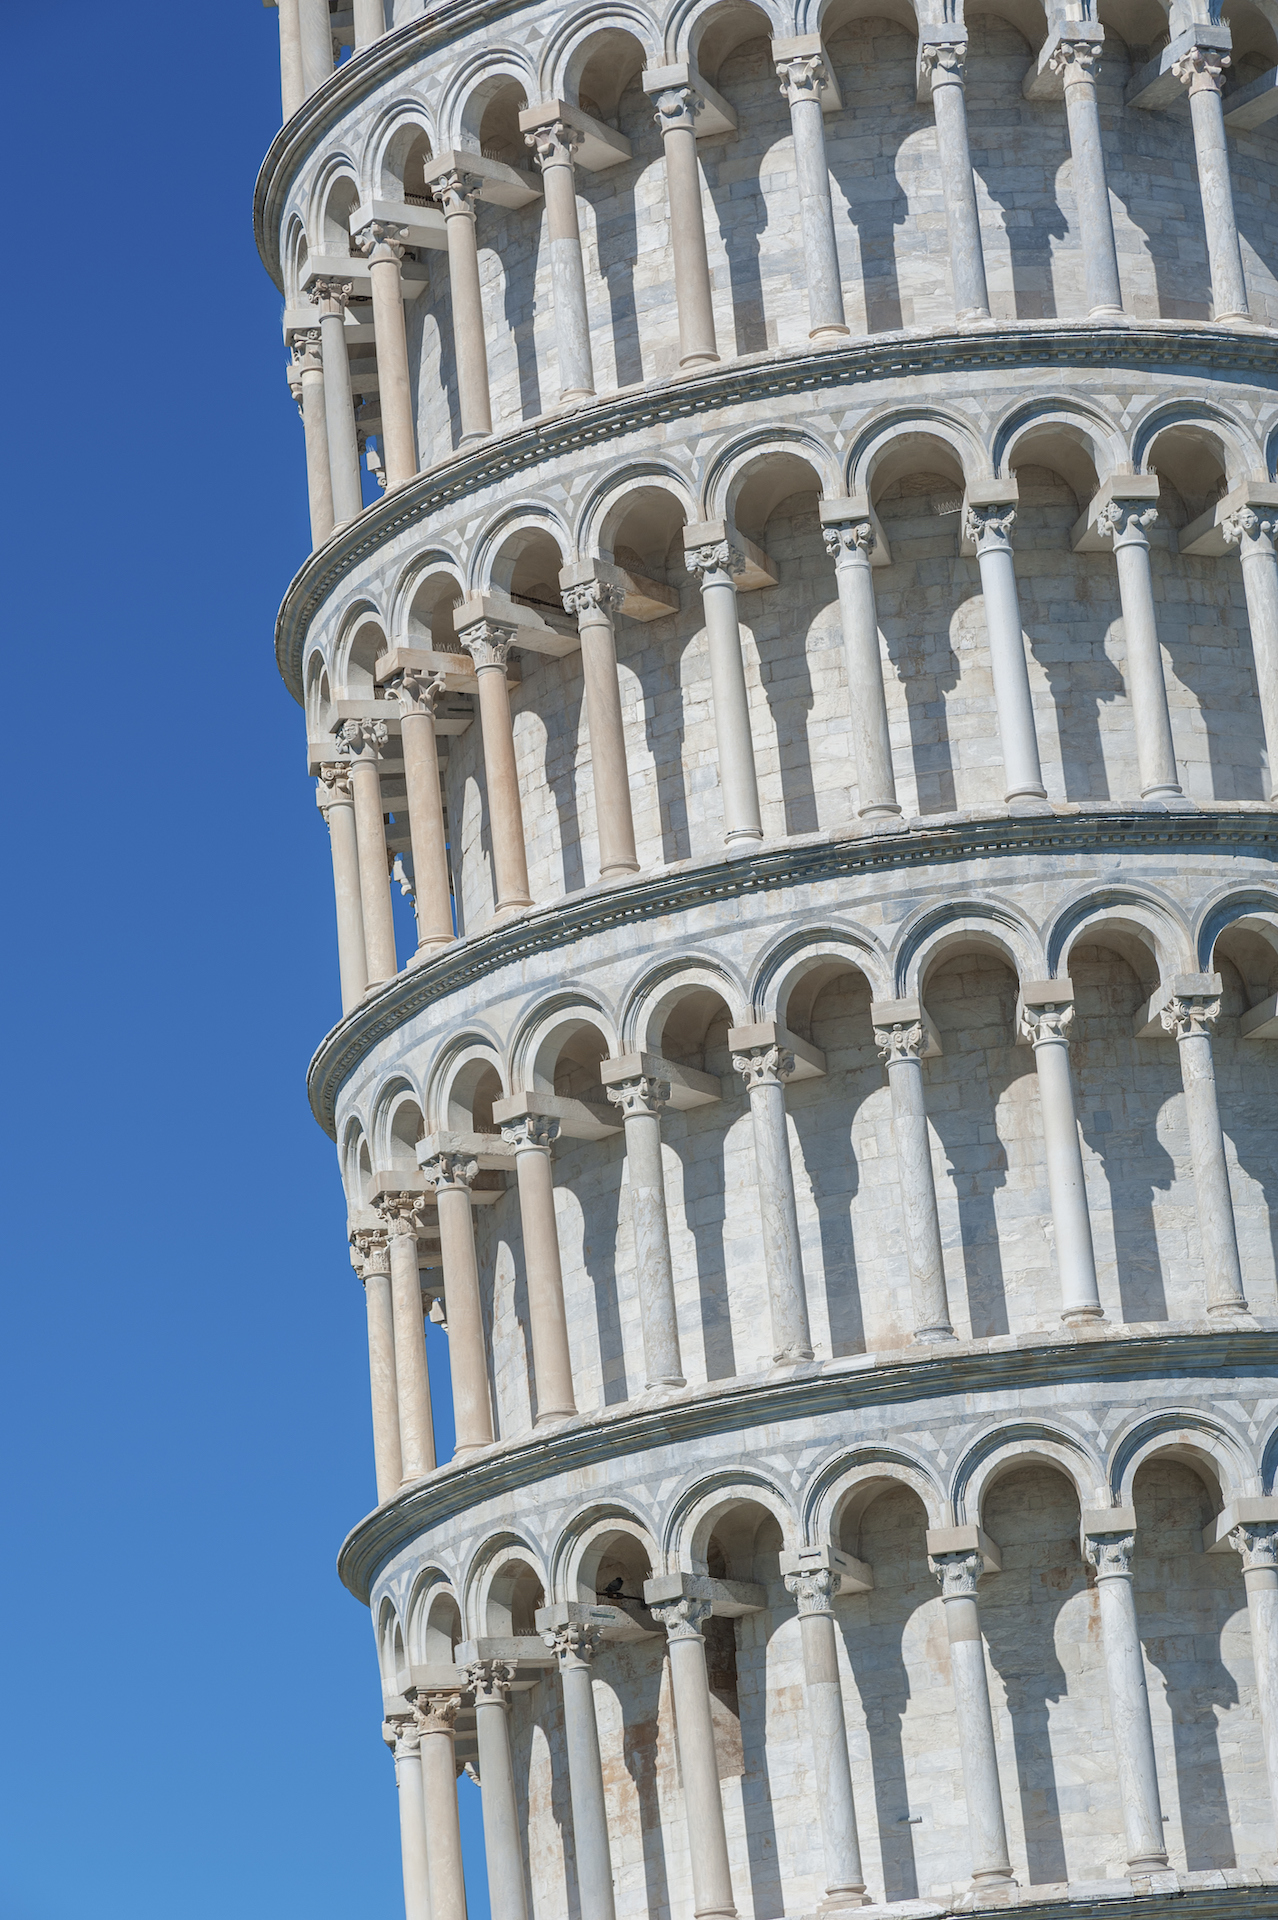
x=678, y=1606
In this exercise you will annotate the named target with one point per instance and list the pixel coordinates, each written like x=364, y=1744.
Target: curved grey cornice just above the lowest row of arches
x=747, y=1404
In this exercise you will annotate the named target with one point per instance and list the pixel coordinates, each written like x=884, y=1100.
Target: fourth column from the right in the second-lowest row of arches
x=767, y=1072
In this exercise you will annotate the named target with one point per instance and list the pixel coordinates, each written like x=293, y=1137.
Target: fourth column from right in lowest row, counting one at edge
x=815, y=1593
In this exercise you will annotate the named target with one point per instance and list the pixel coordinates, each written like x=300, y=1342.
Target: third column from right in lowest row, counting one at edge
x=958, y=1575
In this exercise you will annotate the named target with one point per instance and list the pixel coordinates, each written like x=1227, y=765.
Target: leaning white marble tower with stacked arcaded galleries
x=790, y=663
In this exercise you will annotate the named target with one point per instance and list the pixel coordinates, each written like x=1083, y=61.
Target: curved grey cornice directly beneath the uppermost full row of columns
x=1037, y=345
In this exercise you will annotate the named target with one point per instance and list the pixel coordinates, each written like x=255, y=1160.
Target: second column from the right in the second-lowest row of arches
x=1045, y=1024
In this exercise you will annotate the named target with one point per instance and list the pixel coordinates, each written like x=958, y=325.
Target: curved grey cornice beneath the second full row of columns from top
x=786, y=865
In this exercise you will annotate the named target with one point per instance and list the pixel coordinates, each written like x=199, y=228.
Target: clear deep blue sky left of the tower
x=191, y=1704
